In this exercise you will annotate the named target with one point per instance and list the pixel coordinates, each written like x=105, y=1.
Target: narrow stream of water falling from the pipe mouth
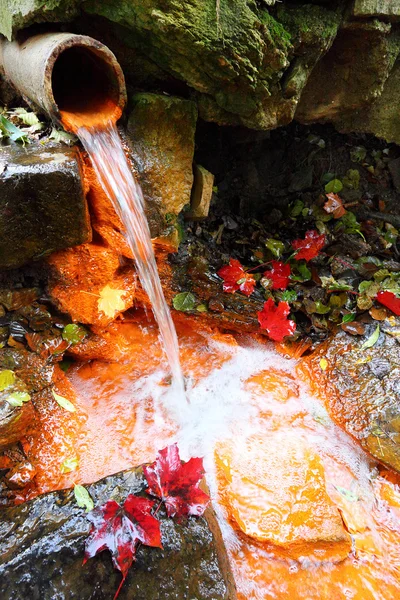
x=113, y=171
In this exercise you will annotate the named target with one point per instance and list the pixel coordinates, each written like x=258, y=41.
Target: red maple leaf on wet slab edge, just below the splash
x=177, y=483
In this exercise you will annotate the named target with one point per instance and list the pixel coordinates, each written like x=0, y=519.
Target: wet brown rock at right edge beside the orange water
x=361, y=388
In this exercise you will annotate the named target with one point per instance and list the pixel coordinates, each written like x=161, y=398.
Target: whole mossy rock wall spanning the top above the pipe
x=253, y=63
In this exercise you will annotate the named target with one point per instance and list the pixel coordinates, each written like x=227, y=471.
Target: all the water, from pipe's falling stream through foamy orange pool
x=304, y=512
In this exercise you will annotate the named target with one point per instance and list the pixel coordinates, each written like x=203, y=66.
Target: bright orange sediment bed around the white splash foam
x=307, y=522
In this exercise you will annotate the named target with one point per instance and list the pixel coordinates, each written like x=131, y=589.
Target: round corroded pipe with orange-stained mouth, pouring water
x=73, y=78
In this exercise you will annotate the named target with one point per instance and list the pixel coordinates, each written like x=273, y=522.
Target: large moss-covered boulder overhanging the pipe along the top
x=236, y=57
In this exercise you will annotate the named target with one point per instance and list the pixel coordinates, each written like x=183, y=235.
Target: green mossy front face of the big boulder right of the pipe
x=232, y=54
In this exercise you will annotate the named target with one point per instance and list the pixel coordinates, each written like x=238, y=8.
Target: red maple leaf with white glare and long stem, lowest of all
x=119, y=529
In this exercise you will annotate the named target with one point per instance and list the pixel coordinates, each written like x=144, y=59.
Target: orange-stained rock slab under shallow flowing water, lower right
x=274, y=489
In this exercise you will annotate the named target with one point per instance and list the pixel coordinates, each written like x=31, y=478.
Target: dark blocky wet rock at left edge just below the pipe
x=42, y=206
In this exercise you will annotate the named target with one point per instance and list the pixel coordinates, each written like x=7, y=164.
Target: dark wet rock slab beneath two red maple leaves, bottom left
x=42, y=546
